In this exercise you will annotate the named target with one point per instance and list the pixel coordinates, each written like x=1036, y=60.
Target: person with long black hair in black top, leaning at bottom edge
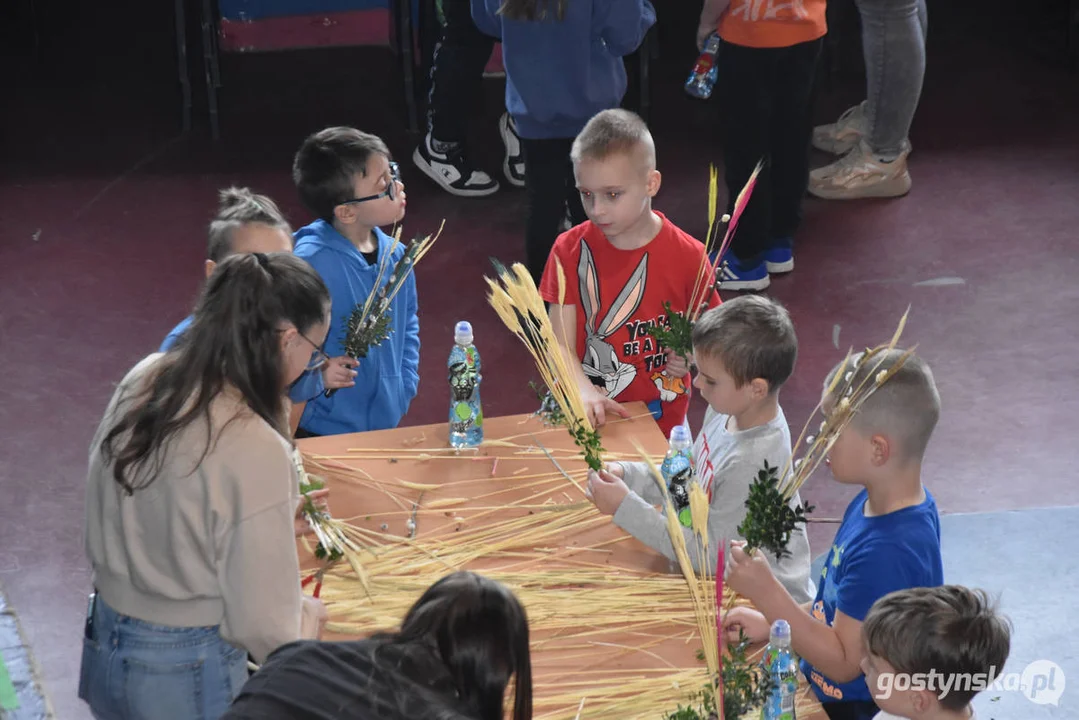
x=454, y=659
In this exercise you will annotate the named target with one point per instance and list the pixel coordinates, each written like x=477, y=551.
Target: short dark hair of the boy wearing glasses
x=327, y=165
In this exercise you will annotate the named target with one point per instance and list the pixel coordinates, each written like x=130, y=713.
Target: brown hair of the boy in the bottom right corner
x=952, y=630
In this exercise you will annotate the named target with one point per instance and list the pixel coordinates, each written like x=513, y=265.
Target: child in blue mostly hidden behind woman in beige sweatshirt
x=250, y=223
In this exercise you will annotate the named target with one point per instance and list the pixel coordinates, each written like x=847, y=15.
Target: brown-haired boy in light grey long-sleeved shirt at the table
x=745, y=350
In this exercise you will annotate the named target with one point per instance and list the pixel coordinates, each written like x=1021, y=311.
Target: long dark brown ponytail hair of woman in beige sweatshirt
x=231, y=342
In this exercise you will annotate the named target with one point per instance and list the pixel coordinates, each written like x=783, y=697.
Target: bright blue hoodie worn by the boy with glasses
x=389, y=377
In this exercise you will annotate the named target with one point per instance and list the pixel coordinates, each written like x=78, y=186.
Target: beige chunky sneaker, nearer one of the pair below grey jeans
x=859, y=174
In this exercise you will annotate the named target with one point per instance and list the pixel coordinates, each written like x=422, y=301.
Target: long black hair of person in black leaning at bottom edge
x=482, y=633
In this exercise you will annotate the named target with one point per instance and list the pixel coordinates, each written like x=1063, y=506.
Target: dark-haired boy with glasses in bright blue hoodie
x=346, y=178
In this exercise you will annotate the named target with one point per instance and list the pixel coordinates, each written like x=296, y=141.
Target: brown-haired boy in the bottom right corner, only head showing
x=950, y=643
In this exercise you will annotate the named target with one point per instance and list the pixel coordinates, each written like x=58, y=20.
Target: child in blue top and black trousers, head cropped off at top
x=564, y=65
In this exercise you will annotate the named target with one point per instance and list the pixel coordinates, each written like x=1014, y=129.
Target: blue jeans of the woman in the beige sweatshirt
x=135, y=671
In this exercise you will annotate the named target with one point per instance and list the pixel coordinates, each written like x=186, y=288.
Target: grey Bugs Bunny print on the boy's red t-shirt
x=600, y=362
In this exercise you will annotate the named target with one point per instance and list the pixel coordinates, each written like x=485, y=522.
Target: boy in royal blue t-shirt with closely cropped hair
x=890, y=539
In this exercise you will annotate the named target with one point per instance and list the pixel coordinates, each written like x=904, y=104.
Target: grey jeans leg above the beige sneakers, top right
x=894, y=42
